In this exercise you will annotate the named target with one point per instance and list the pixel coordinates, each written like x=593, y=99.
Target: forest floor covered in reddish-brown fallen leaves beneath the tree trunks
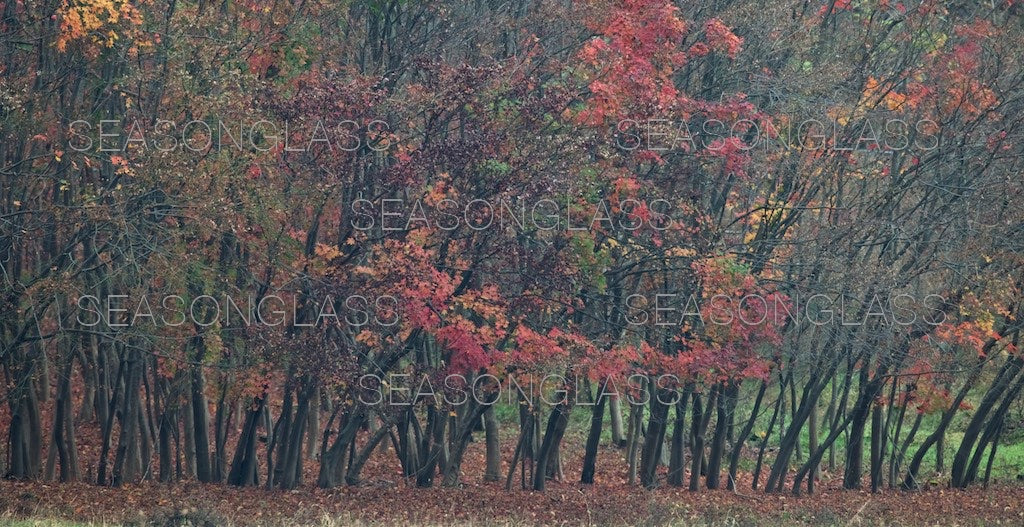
x=386, y=498
